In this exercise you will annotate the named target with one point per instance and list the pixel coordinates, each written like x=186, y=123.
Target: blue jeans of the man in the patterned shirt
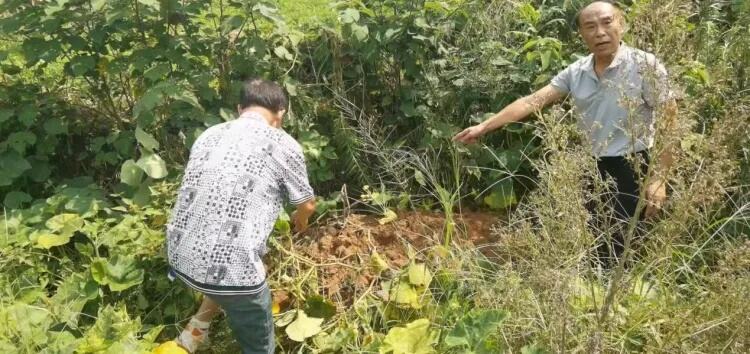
x=250, y=319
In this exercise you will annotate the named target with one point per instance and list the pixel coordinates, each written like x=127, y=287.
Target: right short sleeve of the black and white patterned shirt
x=294, y=175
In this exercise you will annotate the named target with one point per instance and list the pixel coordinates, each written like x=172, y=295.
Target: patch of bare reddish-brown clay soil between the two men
x=341, y=244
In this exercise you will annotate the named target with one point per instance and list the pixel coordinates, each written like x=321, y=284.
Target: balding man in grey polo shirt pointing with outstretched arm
x=617, y=91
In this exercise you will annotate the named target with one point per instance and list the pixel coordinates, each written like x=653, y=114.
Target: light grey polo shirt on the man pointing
x=617, y=110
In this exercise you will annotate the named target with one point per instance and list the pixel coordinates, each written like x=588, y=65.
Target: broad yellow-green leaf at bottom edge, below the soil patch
x=415, y=338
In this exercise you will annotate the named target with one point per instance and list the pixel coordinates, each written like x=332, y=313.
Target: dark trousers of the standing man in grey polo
x=619, y=203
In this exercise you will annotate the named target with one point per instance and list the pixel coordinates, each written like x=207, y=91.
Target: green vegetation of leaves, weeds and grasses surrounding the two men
x=100, y=102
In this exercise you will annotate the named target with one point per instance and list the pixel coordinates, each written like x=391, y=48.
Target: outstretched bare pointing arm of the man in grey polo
x=519, y=109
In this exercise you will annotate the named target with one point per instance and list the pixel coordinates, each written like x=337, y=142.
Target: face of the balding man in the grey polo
x=600, y=25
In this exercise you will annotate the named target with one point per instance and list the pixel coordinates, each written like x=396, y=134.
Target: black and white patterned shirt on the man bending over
x=231, y=195
